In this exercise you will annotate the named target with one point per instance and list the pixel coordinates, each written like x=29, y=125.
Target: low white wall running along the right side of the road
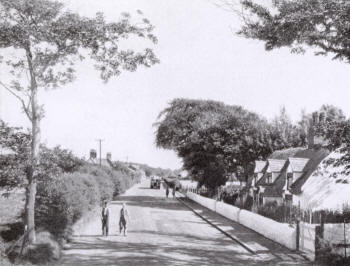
x=278, y=232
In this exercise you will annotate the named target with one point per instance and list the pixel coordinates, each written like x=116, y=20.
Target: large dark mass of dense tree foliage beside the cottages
x=216, y=141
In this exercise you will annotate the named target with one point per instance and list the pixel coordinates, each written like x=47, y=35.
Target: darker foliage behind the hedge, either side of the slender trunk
x=16, y=161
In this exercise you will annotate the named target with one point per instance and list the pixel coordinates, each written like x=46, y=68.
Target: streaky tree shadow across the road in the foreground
x=197, y=251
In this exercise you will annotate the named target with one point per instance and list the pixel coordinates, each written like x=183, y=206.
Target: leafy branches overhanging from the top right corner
x=321, y=24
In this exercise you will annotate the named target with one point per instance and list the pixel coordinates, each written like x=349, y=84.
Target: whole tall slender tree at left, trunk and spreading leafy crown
x=40, y=43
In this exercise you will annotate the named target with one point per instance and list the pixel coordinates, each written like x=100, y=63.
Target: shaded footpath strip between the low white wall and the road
x=250, y=240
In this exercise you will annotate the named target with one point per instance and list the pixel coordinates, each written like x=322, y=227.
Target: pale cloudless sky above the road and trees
x=201, y=57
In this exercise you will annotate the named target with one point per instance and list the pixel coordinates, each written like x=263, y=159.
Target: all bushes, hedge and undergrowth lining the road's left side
x=68, y=188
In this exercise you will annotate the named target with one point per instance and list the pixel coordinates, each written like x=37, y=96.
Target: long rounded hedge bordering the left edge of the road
x=63, y=200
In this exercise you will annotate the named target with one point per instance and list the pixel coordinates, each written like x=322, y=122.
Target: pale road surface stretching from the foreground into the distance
x=162, y=232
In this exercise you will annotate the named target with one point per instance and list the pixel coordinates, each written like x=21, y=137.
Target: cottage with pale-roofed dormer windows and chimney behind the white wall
x=283, y=175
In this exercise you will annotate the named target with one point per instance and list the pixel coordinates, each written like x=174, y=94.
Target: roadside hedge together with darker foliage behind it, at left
x=67, y=187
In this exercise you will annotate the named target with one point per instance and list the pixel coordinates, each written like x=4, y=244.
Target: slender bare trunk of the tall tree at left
x=34, y=155
